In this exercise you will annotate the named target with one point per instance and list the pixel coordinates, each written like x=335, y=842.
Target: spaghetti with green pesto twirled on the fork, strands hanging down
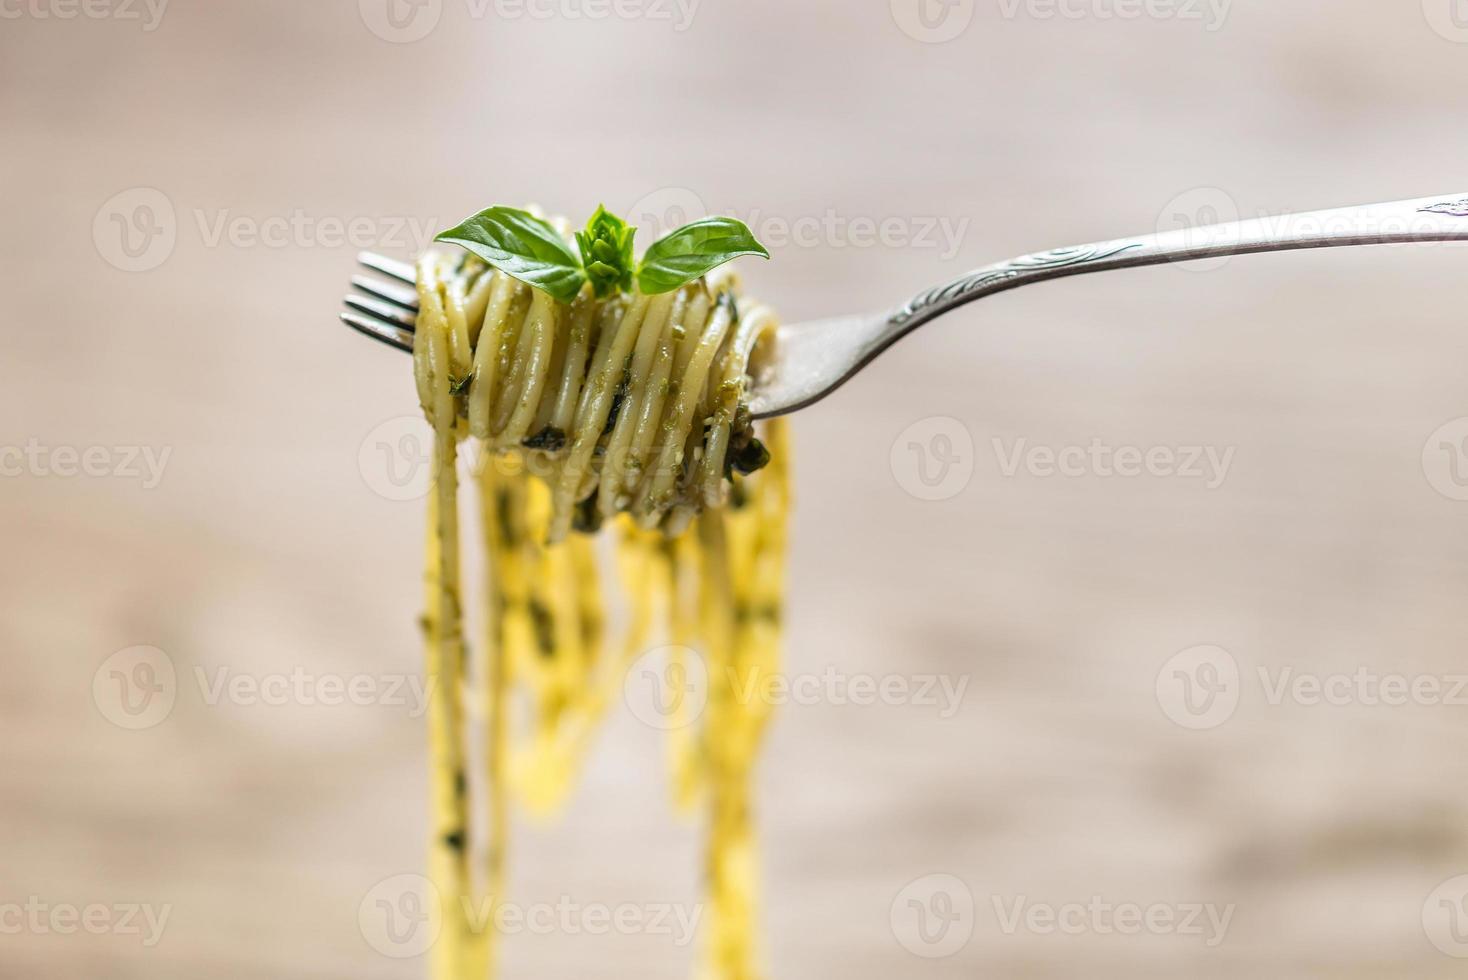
x=626, y=409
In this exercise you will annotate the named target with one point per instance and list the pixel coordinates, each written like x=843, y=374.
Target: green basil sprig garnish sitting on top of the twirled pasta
x=528, y=249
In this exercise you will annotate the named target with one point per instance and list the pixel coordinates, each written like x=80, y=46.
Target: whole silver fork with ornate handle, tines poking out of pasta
x=818, y=357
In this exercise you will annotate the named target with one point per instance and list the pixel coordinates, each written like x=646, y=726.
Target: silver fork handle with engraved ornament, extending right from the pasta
x=1441, y=219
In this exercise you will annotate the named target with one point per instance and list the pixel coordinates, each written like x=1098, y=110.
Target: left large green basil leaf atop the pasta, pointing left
x=523, y=246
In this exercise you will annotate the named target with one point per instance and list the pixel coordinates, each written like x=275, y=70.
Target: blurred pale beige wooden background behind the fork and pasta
x=1056, y=599
